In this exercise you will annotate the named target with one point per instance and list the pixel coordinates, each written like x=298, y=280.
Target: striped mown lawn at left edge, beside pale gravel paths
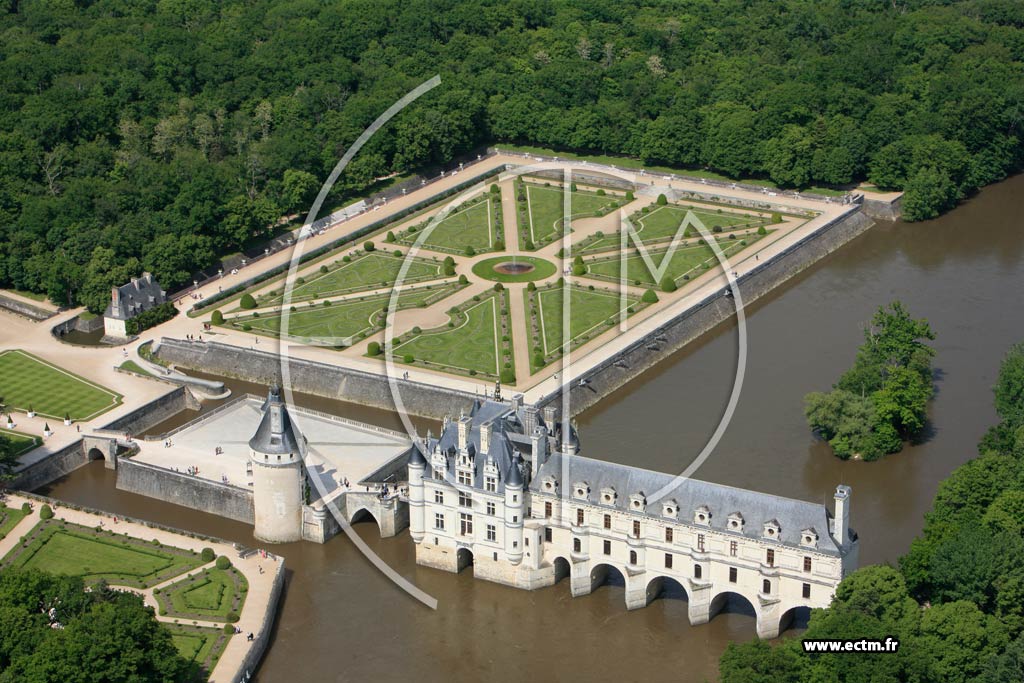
x=27, y=381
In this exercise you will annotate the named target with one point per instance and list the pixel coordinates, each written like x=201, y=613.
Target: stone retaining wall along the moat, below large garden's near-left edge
x=314, y=378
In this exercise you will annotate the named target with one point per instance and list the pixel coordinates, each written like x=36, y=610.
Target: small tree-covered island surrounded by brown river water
x=882, y=401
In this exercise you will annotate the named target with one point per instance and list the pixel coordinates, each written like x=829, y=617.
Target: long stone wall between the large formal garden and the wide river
x=616, y=372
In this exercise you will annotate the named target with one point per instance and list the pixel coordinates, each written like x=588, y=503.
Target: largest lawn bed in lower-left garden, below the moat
x=78, y=551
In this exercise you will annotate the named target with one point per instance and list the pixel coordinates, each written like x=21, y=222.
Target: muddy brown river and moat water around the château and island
x=343, y=621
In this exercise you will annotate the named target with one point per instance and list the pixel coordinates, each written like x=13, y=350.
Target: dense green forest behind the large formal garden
x=160, y=135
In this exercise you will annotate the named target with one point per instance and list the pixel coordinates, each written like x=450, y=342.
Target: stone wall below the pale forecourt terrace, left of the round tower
x=181, y=489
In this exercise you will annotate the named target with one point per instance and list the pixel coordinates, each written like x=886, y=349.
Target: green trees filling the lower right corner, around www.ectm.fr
x=957, y=601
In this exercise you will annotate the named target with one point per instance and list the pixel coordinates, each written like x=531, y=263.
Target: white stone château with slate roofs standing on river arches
x=504, y=490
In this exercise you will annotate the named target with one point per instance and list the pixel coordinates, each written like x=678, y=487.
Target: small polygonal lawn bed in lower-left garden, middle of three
x=209, y=596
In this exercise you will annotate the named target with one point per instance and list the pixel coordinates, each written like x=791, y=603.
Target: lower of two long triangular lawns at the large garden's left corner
x=342, y=321
